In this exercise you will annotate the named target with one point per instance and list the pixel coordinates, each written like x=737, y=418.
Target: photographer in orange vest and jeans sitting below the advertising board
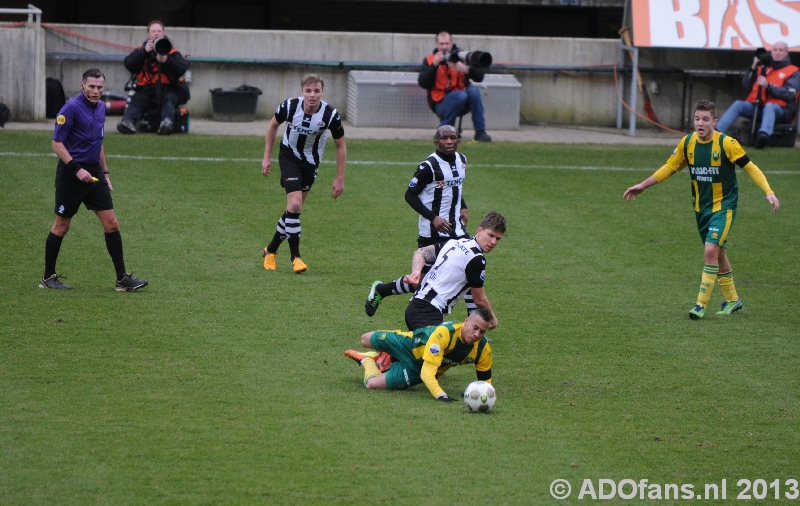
x=774, y=82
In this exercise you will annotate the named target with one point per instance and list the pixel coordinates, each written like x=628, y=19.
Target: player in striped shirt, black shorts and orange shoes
x=308, y=119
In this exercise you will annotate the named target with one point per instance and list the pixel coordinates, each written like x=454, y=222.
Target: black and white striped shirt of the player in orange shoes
x=306, y=133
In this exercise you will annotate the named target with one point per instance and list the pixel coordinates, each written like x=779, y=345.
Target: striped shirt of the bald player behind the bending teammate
x=439, y=185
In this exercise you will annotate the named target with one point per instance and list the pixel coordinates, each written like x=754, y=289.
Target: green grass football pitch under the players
x=221, y=383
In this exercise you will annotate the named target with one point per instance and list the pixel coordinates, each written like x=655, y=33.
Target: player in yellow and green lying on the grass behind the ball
x=427, y=353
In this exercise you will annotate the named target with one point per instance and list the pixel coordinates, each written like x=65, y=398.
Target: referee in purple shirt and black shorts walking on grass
x=82, y=177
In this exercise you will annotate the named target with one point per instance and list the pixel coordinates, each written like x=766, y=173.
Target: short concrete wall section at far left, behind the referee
x=22, y=75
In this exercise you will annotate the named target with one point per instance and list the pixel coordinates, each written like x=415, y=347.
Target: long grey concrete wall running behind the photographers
x=547, y=97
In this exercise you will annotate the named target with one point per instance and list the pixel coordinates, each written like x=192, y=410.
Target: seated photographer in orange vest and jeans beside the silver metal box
x=448, y=85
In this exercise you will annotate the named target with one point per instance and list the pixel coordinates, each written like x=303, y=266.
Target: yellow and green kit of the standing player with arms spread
x=715, y=194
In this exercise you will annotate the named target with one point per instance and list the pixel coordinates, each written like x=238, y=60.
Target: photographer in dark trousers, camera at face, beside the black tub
x=159, y=68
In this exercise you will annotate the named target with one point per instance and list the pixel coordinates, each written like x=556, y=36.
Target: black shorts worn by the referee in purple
x=71, y=191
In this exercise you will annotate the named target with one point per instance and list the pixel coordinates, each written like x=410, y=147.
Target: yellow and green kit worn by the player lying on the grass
x=427, y=353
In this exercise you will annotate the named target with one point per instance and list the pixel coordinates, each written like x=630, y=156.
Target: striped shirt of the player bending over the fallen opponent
x=460, y=265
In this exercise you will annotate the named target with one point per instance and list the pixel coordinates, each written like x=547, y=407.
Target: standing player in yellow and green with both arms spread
x=710, y=156
